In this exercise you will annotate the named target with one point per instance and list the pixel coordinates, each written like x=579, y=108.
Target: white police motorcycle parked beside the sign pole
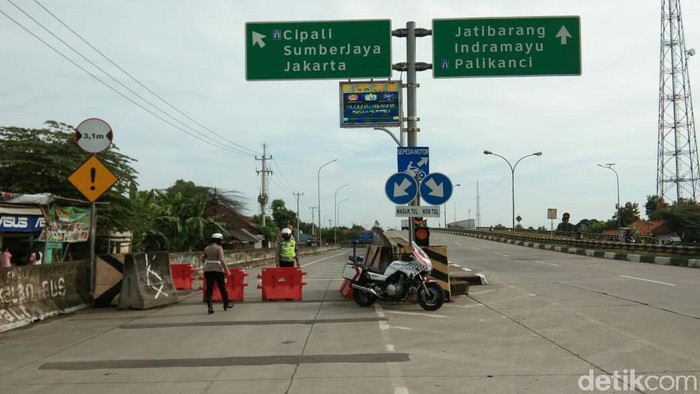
x=399, y=282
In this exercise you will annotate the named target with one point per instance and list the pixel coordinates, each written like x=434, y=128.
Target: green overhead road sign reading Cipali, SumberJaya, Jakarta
x=317, y=50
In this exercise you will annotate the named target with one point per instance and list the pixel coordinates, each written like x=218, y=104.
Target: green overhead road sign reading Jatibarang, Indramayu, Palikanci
x=491, y=47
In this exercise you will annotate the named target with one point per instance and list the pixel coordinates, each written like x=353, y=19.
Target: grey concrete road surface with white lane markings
x=547, y=322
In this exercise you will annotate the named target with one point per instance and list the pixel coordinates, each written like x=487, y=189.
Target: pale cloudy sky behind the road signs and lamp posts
x=192, y=55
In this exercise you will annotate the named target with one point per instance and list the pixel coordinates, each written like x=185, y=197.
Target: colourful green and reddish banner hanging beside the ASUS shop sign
x=67, y=224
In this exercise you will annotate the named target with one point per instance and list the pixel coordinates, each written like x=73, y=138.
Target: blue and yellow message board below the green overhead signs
x=370, y=104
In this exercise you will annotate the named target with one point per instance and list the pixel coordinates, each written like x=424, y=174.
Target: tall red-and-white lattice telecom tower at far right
x=677, y=161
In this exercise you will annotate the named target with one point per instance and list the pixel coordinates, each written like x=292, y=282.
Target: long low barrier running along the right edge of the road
x=673, y=250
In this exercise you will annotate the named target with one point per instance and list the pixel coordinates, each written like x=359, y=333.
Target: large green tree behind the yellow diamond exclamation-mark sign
x=41, y=160
